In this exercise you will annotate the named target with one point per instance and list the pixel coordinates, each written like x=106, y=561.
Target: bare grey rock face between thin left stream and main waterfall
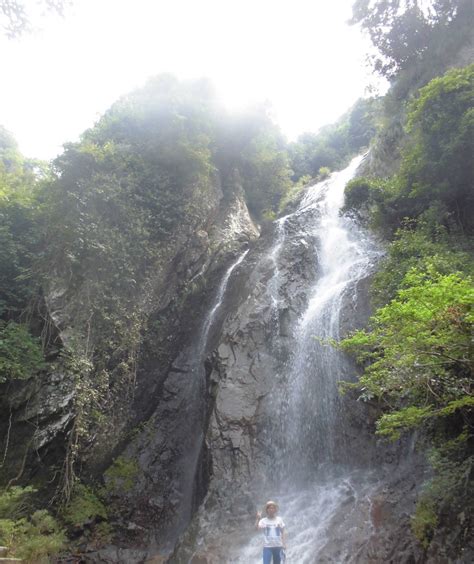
x=247, y=365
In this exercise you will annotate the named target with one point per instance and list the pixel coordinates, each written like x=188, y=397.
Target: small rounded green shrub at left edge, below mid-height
x=20, y=353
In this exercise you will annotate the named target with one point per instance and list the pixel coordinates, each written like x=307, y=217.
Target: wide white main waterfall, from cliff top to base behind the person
x=310, y=498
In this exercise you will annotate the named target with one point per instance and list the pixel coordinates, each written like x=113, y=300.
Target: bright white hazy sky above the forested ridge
x=299, y=54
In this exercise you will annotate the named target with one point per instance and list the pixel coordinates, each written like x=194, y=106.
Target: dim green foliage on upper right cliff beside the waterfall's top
x=434, y=173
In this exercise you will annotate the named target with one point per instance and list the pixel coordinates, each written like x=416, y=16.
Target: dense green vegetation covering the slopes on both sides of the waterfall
x=101, y=214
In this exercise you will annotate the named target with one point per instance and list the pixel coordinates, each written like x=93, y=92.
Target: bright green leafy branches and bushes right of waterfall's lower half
x=417, y=358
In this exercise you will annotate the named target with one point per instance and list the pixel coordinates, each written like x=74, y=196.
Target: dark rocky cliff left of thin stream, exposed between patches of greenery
x=38, y=415
